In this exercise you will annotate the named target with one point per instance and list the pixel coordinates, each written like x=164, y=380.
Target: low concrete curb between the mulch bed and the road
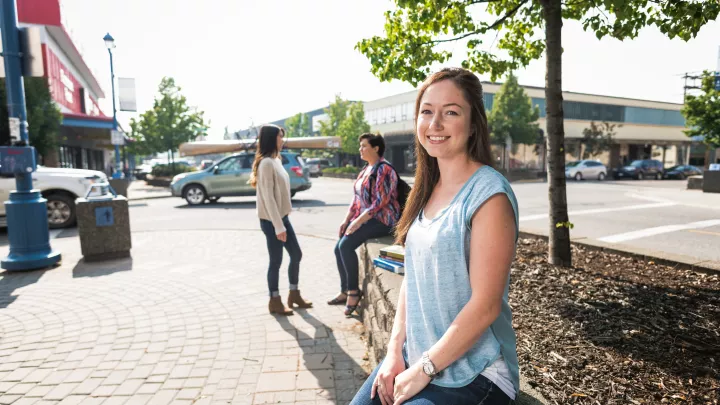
x=668, y=259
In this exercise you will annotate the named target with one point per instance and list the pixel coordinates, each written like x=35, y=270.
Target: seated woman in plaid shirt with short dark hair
x=373, y=213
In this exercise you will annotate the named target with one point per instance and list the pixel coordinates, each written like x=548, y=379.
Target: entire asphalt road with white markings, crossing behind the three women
x=656, y=215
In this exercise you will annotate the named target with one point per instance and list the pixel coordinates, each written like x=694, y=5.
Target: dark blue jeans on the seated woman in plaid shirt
x=346, y=257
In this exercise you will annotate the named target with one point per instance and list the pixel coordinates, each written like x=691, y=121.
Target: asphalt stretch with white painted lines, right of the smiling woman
x=657, y=215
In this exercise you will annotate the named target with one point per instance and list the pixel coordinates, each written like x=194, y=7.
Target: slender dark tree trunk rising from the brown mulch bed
x=559, y=236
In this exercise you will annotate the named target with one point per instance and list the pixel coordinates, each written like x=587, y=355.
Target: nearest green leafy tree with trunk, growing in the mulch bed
x=416, y=31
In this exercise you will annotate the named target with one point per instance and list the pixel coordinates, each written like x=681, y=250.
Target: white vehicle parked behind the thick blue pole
x=60, y=187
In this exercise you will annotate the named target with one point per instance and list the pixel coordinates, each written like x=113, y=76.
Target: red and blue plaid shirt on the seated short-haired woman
x=378, y=197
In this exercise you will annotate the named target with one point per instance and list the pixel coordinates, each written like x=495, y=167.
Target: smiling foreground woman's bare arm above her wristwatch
x=492, y=247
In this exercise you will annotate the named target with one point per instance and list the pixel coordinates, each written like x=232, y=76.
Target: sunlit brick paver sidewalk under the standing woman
x=184, y=322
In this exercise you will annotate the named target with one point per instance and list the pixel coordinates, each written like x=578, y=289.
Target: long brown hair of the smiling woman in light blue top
x=427, y=172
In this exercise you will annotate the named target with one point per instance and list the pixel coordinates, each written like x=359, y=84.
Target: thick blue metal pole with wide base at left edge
x=26, y=210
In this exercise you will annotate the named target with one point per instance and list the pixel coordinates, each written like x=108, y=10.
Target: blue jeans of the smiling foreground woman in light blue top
x=480, y=391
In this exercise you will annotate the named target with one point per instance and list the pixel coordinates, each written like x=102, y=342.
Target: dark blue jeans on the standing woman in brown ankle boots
x=275, y=247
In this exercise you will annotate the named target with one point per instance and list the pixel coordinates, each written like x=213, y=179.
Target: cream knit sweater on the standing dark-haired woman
x=273, y=192
